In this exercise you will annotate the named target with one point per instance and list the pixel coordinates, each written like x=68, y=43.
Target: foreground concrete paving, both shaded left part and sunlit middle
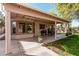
x=27, y=48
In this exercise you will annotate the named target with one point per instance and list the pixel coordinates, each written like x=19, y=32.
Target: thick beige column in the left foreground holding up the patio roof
x=7, y=32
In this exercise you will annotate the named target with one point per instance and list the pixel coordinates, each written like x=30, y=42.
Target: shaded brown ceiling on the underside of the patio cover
x=20, y=17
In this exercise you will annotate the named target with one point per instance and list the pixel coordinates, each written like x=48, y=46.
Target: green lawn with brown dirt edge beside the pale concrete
x=67, y=46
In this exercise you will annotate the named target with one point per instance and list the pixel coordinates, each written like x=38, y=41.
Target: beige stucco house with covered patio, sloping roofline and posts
x=23, y=22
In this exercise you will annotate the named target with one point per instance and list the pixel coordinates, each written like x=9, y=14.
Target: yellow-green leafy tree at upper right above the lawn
x=68, y=10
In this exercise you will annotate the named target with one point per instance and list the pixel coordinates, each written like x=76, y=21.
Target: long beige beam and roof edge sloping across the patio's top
x=32, y=13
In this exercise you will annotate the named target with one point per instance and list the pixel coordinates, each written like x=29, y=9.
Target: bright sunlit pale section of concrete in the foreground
x=36, y=49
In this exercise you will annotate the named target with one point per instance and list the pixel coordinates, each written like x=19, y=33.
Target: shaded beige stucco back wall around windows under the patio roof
x=37, y=30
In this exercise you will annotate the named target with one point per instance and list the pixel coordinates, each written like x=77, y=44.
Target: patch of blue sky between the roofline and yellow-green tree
x=46, y=7
